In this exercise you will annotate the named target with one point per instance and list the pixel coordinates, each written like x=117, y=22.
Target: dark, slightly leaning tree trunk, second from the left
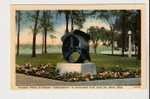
x=34, y=35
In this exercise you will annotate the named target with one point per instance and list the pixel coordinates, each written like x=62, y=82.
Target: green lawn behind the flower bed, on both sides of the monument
x=100, y=60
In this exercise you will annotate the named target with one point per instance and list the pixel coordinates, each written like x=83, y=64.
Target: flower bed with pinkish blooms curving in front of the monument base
x=50, y=71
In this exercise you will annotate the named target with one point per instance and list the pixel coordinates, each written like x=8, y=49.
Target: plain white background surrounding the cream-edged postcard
x=7, y=93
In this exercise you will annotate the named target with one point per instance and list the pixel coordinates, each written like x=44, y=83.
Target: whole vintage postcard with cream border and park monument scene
x=77, y=46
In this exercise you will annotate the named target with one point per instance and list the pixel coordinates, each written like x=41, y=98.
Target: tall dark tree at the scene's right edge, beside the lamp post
x=134, y=21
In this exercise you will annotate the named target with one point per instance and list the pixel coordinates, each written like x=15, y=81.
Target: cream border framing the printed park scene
x=15, y=7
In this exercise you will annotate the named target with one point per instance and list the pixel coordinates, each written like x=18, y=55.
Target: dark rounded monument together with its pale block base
x=75, y=51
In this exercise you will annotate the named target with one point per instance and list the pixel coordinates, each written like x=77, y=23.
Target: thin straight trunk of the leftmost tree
x=18, y=34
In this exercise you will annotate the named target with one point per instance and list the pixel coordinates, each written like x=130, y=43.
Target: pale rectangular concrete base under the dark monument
x=83, y=68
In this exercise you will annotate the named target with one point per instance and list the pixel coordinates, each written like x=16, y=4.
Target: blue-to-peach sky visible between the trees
x=59, y=28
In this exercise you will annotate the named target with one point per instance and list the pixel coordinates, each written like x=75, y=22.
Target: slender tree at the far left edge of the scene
x=18, y=19
